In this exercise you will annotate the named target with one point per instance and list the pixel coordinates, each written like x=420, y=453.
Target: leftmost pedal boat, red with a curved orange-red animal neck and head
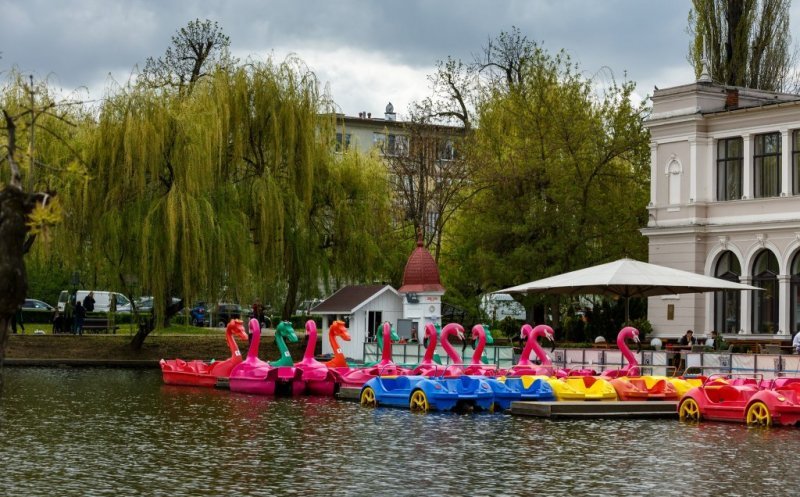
x=202, y=374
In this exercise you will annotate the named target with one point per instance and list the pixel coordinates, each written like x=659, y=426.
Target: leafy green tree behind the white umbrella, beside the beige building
x=565, y=177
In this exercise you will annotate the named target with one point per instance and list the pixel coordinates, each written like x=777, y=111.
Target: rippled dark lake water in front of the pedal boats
x=98, y=432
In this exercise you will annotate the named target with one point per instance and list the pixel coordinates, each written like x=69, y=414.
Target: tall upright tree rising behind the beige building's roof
x=743, y=42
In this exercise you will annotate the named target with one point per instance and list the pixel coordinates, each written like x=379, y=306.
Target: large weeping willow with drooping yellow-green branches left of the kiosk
x=233, y=183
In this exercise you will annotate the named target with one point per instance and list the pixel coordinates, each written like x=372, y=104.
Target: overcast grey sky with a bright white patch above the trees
x=368, y=52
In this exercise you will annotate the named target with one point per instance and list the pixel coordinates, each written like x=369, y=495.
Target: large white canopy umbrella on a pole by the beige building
x=627, y=278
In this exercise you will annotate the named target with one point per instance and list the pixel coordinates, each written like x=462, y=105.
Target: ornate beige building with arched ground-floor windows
x=725, y=202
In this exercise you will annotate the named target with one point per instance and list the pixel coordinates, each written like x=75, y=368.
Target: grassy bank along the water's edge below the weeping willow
x=206, y=344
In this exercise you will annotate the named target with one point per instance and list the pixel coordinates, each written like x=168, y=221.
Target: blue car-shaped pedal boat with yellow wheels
x=422, y=394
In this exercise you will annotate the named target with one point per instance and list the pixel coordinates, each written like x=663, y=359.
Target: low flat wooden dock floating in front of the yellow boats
x=607, y=409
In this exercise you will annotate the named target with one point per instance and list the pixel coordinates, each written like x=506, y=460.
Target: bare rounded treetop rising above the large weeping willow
x=196, y=49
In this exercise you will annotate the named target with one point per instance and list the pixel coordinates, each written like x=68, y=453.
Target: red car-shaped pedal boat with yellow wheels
x=756, y=403
